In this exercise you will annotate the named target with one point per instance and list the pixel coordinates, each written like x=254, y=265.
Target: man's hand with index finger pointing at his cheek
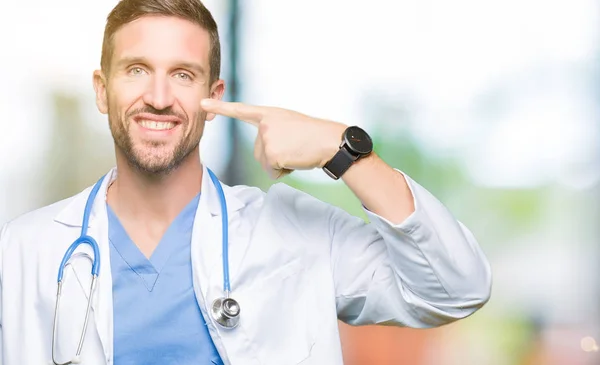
x=286, y=140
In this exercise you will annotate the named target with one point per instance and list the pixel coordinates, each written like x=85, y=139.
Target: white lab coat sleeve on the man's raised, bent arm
x=425, y=272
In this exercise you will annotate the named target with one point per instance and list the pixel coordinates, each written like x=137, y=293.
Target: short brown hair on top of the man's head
x=127, y=11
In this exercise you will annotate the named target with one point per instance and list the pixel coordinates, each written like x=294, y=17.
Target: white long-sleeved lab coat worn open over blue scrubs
x=296, y=266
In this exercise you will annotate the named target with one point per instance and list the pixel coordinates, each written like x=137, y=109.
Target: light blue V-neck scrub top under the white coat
x=156, y=316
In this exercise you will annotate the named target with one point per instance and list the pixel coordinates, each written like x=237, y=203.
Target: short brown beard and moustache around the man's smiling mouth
x=150, y=158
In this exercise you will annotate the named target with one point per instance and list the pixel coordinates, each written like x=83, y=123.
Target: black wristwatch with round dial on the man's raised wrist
x=356, y=144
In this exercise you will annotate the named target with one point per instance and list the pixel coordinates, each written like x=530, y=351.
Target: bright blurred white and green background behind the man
x=493, y=106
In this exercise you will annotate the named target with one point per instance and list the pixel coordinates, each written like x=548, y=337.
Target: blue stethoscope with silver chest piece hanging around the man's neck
x=225, y=310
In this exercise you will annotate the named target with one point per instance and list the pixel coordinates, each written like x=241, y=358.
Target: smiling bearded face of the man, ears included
x=159, y=73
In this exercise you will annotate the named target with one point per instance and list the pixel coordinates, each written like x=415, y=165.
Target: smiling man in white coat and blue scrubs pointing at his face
x=296, y=265
